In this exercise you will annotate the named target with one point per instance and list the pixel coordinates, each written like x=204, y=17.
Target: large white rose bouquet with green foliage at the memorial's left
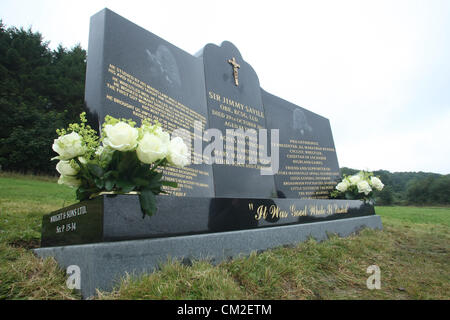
x=125, y=159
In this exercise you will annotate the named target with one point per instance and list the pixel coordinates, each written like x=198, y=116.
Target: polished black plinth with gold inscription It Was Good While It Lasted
x=114, y=218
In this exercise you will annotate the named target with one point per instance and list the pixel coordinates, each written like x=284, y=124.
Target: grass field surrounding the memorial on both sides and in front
x=413, y=253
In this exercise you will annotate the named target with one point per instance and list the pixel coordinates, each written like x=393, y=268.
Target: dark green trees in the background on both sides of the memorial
x=43, y=89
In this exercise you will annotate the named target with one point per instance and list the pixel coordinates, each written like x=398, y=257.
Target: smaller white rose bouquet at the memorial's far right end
x=358, y=186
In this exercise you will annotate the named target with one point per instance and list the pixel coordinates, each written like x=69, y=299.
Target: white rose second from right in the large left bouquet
x=152, y=148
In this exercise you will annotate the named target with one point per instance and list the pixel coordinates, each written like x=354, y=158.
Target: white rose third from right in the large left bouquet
x=121, y=136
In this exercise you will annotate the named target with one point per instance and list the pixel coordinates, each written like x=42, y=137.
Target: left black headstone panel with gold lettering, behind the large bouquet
x=134, y=74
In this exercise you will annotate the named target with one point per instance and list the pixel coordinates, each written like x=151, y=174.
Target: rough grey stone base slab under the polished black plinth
x=102, y=265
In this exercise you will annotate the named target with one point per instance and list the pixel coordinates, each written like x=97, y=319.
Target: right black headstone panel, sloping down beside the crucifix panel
x=308, y=163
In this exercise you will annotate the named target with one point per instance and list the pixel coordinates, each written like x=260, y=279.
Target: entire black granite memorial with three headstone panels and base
x=132, y=73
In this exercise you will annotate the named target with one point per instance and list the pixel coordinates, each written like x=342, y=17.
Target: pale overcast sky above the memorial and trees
x=379, y=70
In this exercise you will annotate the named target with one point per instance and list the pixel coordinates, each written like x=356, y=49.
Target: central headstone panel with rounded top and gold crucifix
x=235, y=105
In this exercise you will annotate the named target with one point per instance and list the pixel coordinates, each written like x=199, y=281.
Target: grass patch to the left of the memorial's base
x=24, y=199
